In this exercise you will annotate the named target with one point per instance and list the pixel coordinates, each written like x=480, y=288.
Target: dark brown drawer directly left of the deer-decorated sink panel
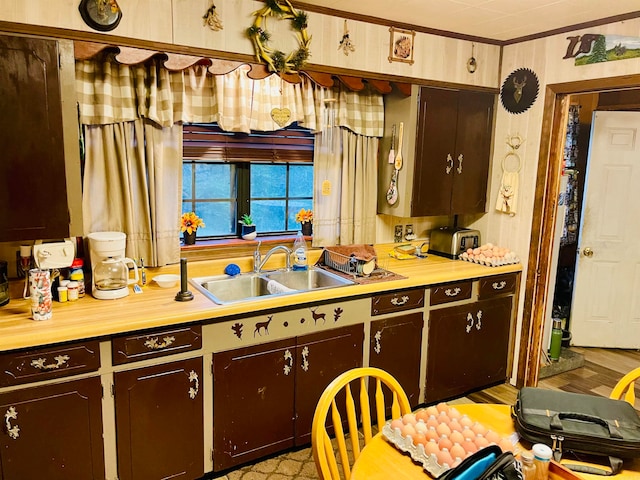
x=140, y=346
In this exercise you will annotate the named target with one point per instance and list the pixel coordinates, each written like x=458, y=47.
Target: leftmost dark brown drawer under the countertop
x=40, y=364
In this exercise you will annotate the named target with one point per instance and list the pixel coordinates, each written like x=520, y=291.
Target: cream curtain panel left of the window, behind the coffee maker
x=132, y=184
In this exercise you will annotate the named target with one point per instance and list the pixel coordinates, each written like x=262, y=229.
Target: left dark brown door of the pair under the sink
x=252, y=402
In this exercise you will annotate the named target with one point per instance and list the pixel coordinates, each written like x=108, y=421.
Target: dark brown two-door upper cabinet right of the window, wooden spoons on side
x=446, y=151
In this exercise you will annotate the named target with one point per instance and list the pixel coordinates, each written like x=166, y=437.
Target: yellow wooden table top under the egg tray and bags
x=380, y=460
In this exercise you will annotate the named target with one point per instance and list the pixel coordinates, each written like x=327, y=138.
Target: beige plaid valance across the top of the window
x=109, y=92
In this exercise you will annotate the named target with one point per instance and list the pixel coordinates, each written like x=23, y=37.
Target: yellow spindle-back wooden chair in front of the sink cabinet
x=323, y=451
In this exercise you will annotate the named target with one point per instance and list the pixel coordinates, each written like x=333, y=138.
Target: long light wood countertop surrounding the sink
x=156, y=307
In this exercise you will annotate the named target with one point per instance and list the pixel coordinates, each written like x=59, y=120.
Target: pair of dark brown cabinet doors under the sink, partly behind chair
x=264, y=396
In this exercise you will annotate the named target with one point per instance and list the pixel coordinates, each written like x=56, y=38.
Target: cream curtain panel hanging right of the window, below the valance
x=345, y=193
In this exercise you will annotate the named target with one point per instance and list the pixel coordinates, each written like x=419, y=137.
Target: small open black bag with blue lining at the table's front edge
x=488, y=463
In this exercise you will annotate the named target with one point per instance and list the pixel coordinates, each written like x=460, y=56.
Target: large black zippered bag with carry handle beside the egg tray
x=579, y=423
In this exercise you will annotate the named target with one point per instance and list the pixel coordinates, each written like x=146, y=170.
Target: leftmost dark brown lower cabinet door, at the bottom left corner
x=53, y=432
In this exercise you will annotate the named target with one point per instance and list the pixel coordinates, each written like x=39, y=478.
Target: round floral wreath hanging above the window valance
x=276, y=60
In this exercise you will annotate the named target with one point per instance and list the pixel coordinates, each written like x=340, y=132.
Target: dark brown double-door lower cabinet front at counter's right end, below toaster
x=467, y=348
